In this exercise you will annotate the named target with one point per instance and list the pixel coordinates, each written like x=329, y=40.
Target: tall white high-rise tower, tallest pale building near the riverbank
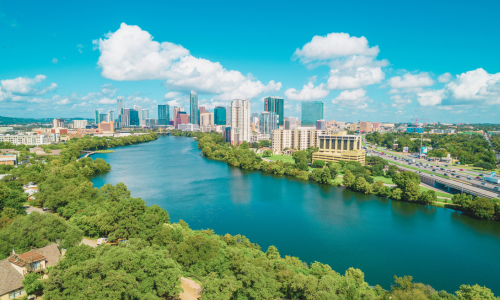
x=240, y=121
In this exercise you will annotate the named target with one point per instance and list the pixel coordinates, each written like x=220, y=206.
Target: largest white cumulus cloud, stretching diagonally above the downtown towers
x=130, y=53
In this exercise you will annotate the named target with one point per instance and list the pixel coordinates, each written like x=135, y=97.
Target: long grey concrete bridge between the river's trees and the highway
x=437, y=181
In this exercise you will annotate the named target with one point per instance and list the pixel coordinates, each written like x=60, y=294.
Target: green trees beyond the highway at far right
x=469, y=149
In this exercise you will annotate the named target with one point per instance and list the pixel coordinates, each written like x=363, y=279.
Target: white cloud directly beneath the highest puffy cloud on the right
x=354, y=78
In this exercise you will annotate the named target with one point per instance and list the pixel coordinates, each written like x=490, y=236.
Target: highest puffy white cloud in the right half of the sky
x=335, y=45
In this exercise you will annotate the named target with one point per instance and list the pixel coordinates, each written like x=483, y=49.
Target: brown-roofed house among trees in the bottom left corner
x=14, y=268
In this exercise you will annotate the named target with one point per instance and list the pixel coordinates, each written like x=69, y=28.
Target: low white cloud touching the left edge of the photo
x=24, y=86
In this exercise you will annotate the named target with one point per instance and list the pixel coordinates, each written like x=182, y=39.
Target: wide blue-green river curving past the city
x=314, y=222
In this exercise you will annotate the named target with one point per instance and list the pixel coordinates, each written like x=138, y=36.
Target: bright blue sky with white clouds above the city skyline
x=387, y=61
